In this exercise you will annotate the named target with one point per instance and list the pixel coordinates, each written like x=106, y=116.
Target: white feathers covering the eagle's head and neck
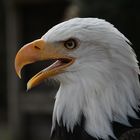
x=103, y=82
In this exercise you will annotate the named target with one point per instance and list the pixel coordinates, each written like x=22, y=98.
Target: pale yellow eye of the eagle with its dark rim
x=70, y=44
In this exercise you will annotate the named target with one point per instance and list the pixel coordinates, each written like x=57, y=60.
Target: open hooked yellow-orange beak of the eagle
x=40, y=50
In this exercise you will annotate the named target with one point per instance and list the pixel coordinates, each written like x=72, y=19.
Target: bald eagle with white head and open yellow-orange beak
x=98, y=74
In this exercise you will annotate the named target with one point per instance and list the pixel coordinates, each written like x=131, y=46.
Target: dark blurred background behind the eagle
x=28, y=115
